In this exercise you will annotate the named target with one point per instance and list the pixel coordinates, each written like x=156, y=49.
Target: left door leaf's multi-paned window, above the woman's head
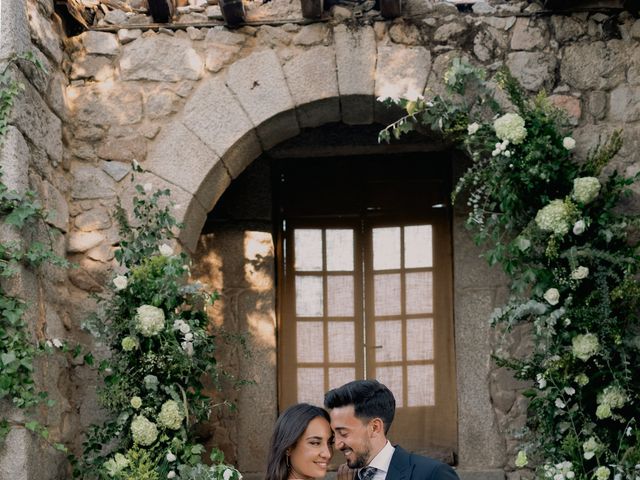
x=326, y=317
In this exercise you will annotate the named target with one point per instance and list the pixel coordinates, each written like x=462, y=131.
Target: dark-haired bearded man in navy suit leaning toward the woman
x=361, y=414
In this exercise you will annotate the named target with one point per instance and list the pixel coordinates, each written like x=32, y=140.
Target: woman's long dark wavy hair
x=288, y=429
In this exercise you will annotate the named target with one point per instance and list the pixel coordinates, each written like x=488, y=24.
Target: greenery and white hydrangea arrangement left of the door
x=162, y=348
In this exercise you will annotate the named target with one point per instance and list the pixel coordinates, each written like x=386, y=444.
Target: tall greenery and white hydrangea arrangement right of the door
x=558, y=226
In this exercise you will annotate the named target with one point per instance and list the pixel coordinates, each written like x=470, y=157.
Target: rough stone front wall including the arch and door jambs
x=199, y=113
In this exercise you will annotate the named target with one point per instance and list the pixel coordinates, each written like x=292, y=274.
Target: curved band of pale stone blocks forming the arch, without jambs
x=231, y=119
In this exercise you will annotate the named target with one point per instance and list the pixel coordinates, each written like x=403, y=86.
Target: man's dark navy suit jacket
x=409, y=466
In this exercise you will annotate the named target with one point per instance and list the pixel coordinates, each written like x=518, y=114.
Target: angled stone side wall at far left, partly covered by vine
x=32, y=157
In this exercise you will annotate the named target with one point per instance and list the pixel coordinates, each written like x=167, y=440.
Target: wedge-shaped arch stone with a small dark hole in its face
x=259, y=84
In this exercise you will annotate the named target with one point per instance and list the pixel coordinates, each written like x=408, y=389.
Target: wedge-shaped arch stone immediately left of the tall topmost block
x=313, y=83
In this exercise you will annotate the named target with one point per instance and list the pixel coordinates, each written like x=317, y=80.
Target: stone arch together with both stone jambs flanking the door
x=231, y=120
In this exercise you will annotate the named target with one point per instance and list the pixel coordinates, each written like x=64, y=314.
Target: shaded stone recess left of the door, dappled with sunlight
x=236, y=258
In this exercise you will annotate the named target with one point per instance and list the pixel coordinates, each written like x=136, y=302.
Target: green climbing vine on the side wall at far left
x=18, y=347
